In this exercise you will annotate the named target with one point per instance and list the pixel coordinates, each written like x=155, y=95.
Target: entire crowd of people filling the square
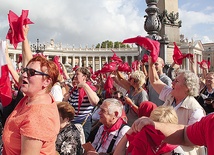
x=135, y=111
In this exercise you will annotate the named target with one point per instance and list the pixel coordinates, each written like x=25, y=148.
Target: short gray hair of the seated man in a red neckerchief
x=114, y=106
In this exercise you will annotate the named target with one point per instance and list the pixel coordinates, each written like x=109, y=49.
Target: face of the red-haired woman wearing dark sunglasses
x=33, y=84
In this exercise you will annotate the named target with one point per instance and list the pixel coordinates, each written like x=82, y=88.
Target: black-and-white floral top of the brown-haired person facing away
x=68, y=141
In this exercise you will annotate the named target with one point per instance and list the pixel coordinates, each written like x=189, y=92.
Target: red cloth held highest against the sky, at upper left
x=15, y=33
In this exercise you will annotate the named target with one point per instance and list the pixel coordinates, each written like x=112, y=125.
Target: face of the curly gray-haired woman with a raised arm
x=178, y=85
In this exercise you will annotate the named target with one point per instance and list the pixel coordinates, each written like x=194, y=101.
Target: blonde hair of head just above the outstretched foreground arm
x=164, y=114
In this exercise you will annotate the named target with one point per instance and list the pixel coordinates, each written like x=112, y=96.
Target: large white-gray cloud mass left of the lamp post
x=78, y=22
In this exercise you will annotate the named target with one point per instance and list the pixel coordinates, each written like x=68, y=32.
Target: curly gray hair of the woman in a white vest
x=191, y=81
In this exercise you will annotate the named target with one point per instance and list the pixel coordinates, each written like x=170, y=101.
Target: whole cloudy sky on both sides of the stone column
x=89, y=22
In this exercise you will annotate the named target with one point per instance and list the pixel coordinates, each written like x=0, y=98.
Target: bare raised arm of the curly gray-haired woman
x=154, y=80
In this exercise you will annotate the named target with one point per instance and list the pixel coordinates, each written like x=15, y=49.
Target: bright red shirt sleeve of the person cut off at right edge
x=201, y=133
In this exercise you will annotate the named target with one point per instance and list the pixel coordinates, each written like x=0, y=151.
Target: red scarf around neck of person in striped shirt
x=82, y=93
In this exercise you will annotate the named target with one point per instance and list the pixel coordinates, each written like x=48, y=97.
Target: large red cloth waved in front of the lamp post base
x=149, y=44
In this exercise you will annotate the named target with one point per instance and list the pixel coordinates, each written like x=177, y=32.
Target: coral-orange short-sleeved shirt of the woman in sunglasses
x=39, y=121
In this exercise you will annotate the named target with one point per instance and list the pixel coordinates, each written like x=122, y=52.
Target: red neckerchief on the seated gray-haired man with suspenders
x=114, y=127
